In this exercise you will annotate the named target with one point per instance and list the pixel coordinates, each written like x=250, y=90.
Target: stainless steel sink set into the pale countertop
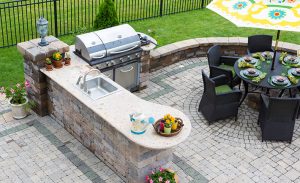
x=99, y=87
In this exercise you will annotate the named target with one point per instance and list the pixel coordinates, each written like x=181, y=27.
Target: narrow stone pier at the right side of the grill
x=145, y=68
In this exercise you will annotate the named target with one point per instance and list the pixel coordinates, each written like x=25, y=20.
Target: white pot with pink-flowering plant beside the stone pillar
x=17, y=99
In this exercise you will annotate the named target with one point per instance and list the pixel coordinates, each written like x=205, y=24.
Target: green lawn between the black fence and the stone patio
x=169, y=29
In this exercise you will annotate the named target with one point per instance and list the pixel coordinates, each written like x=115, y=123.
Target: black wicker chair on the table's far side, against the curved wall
x=259, y=43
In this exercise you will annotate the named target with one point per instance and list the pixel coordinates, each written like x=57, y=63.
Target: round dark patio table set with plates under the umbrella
x=265, y=66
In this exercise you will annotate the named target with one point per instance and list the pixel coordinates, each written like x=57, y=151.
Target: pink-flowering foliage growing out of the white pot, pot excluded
x=17, y=93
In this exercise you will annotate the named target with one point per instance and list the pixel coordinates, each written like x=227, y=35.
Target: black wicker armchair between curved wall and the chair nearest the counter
x=219, y=65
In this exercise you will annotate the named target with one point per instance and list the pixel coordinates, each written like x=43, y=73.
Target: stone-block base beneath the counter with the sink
x=129, y=160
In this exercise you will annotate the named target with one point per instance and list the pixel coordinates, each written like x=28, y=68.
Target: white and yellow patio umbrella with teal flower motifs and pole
x=266, y=14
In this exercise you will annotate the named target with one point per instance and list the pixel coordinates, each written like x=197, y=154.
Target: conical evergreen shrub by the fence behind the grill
x=107, y=16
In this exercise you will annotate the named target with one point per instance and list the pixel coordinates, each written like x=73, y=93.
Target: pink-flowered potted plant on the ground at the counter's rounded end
x=163, y=176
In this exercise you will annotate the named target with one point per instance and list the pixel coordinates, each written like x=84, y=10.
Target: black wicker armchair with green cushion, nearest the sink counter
x=219, y=100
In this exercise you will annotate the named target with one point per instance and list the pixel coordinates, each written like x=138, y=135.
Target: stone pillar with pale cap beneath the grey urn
x=34, y=59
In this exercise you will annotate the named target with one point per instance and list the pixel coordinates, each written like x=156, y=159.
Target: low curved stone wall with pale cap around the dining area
x=233, y=46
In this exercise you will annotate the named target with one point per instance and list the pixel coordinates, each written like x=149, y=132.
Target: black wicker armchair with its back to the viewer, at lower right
x=277, y=118
